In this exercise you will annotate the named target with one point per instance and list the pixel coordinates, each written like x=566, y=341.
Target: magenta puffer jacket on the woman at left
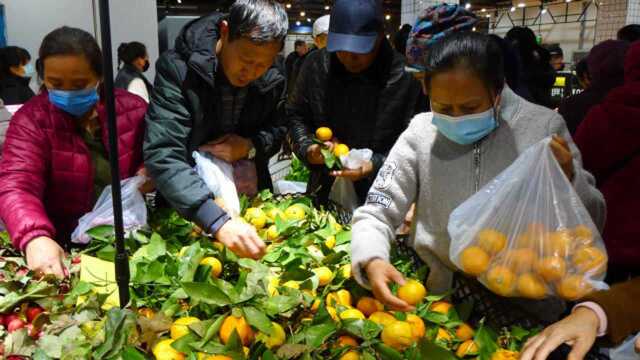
x=46, y=175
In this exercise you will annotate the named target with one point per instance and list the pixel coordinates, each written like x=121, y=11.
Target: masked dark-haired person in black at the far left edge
x=16, y=71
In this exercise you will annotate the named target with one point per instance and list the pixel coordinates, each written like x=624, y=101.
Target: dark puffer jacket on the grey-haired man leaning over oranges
x=183, y=115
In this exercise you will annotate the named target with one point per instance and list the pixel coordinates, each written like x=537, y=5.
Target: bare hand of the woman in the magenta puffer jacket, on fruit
x=44, y=255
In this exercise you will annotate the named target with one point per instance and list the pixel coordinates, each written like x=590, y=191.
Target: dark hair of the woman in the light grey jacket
x=475, y=52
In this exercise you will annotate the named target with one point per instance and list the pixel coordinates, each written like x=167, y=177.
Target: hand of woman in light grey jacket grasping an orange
x=380, y=273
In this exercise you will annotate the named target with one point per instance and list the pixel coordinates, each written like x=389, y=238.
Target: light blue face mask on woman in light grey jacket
x=467, y=129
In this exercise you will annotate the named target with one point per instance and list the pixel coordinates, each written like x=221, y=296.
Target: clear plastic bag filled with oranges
x=527, y=233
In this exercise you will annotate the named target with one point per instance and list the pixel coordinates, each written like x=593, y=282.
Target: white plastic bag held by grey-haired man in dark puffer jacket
x=218, y=175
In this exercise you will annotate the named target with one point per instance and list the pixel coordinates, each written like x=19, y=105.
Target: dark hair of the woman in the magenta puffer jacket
x=71, y=41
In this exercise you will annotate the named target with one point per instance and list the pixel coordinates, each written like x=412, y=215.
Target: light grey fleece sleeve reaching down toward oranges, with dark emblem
x=390, y=197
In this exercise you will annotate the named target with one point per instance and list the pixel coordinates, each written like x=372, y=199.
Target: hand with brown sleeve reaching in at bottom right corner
x=579, y=330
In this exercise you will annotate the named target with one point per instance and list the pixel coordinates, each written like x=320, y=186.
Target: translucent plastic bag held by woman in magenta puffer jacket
x=134, y=210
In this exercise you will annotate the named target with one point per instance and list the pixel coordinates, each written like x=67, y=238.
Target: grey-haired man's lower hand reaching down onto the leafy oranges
x=242, y=239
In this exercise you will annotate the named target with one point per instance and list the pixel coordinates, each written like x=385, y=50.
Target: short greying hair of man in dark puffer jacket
x=261, y=21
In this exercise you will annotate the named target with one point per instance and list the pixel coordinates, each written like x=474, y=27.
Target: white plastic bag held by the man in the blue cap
x=343, y=192
